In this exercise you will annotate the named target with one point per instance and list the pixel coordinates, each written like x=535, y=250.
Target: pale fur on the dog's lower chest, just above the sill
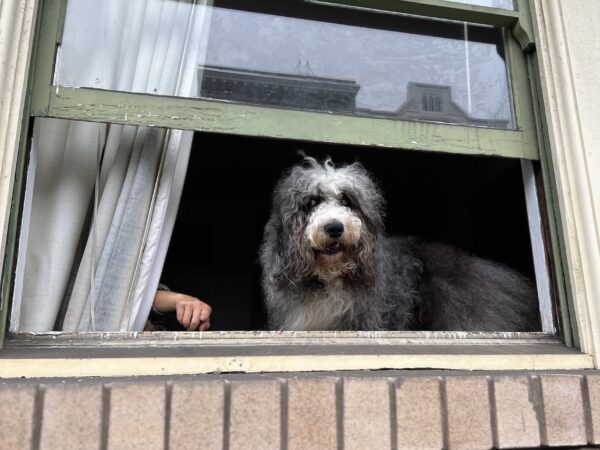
x=321, y=309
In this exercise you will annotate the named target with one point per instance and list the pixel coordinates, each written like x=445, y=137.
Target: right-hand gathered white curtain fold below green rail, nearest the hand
x=118, y=232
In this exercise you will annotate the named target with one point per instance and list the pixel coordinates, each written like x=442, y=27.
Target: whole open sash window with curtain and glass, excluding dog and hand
x=432, y=97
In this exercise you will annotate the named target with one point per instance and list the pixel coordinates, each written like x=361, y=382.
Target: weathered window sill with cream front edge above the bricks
x=143, y=354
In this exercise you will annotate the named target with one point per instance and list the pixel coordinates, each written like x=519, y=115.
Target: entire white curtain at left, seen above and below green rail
x=100, y=199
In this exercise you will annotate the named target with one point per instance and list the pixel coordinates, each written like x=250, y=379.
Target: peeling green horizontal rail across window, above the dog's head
x=231, y=118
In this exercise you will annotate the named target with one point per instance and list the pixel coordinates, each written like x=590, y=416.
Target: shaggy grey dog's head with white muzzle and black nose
x=330, y=218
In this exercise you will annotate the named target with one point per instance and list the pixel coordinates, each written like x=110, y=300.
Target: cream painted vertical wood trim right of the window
x=571, y=164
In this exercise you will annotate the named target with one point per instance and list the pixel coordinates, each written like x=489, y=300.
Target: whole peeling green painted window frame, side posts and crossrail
x=526, y=141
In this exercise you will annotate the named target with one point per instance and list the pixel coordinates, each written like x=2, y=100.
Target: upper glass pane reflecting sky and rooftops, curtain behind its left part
x=291, y=55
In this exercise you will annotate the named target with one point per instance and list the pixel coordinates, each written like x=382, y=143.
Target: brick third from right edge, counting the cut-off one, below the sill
x=517, y=421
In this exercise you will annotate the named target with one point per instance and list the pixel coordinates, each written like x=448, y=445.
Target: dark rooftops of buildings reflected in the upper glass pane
x=425, y=102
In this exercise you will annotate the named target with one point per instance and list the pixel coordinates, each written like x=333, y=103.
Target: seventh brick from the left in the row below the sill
x=366, y=413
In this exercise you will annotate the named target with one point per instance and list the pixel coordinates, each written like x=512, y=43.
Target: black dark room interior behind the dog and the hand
x=476, y=203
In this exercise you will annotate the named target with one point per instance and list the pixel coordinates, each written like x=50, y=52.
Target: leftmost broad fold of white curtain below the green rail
x=66, y=159
